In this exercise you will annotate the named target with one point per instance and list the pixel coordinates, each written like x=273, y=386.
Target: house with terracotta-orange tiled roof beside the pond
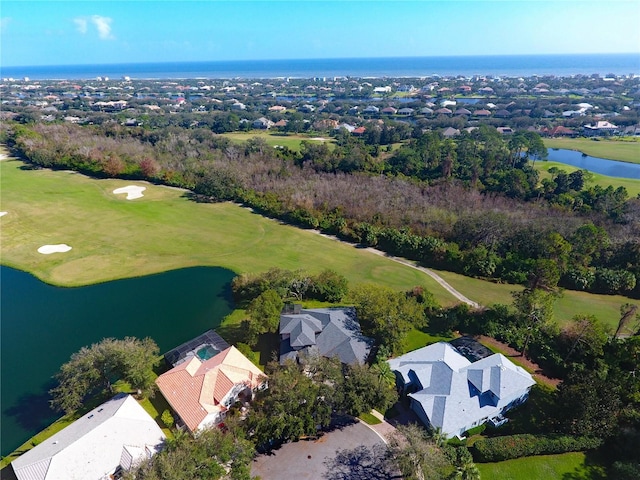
x=200, y=392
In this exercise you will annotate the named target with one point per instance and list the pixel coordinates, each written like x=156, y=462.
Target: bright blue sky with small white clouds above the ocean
x=118, y=31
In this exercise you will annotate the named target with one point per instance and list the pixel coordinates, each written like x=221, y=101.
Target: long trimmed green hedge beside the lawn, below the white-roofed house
x=497, y=449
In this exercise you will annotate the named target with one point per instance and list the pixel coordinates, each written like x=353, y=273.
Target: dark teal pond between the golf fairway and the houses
x=43, y=325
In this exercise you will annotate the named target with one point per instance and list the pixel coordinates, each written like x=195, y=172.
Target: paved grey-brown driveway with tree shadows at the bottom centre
x=307, y=459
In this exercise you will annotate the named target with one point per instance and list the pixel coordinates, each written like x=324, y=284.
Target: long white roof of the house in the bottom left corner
x=117, y=432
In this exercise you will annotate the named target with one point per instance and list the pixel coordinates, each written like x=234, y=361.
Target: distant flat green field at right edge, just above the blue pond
x=613, y=149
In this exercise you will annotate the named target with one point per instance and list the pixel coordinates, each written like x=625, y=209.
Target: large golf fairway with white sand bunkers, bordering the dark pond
x=113, y=238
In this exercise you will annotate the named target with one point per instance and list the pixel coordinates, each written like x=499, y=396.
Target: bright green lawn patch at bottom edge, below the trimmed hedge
x=543, y=467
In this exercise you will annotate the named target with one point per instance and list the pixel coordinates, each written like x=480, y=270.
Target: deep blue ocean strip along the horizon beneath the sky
x=506, y=65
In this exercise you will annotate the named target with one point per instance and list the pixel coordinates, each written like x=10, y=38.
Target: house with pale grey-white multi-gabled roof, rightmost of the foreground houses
x=450, y=393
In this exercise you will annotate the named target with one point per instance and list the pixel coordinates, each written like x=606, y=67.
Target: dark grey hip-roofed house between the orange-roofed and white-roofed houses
x=330, y=332
